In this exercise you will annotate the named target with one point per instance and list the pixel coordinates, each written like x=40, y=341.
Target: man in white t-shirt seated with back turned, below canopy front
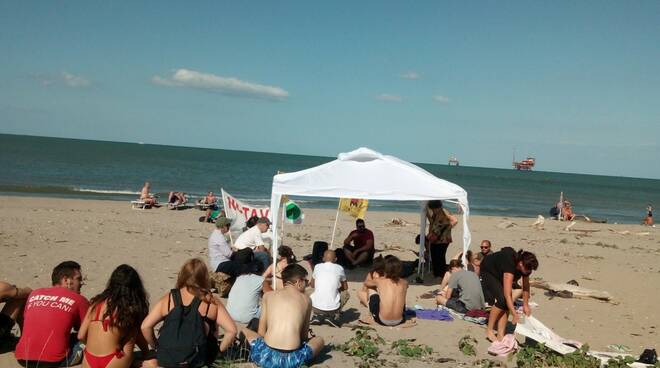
x=329, y=283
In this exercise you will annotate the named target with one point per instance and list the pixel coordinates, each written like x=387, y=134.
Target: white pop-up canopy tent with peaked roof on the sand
x=367, y=174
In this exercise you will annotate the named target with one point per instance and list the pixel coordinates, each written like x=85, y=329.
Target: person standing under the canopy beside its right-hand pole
x=439, y=237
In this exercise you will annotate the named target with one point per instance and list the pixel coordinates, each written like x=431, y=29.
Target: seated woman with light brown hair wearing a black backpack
x=192, y=317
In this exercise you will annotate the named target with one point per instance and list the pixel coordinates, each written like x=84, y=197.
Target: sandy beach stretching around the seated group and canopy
x=624, y=260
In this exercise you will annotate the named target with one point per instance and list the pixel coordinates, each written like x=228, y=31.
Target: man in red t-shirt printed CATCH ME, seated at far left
x=50, y=314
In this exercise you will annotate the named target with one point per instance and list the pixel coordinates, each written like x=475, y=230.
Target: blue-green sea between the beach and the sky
x=72, y=168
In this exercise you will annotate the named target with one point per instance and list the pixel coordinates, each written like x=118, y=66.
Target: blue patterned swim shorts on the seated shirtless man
x=267, y=357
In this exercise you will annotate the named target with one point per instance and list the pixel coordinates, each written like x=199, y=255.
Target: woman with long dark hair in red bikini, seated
x=111, y=327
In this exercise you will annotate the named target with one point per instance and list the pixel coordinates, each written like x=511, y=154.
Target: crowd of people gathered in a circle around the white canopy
x=268, y=296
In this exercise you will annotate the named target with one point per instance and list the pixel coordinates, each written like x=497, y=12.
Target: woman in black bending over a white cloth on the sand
x=499, y=272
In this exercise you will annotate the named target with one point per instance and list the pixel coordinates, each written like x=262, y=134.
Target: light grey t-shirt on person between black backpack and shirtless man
x=243, y=300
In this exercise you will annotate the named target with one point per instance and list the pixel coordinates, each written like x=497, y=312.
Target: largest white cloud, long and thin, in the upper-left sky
x=229, y=85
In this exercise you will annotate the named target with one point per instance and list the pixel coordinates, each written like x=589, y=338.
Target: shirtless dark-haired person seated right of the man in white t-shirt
x=386, y=295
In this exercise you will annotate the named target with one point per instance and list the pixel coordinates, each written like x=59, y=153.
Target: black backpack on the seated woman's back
x=182, y=341
